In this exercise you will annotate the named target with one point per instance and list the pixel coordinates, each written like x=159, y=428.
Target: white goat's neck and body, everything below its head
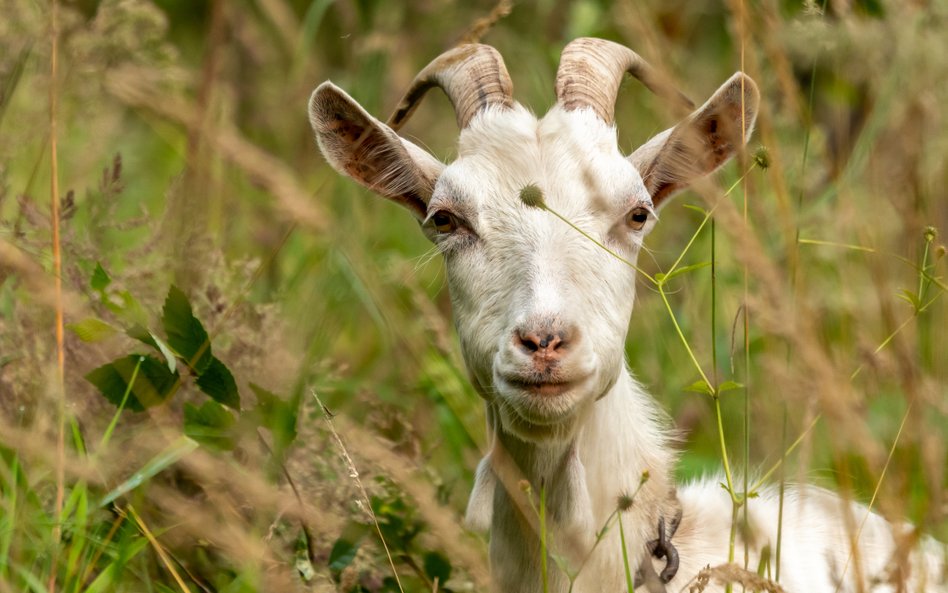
x=622, y=438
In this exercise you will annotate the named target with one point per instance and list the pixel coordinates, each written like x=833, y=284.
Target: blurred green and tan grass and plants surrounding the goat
x=257, y=386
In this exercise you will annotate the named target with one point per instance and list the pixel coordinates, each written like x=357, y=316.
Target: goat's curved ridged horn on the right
x=591, y=71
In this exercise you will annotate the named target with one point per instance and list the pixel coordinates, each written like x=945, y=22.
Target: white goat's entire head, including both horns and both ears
x=541, y=310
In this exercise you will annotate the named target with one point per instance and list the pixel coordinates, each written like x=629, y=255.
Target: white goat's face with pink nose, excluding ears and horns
x=541, y=310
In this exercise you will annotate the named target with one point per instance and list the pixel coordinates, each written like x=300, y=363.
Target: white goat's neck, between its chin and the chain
x=621, y=438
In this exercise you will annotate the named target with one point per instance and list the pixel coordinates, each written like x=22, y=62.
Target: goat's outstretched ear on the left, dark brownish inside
x=358, y=145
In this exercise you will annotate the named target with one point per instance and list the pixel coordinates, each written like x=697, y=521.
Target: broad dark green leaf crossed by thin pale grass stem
x=153, y=385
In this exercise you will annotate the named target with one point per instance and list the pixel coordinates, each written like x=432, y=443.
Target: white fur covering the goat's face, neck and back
x=516, y=266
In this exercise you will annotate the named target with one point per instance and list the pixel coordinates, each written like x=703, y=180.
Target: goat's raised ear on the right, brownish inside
x=704, y=141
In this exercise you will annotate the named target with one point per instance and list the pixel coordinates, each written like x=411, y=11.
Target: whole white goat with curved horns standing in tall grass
x=542, y=314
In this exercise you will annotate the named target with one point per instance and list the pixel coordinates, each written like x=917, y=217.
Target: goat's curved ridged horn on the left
x=473, y=76
